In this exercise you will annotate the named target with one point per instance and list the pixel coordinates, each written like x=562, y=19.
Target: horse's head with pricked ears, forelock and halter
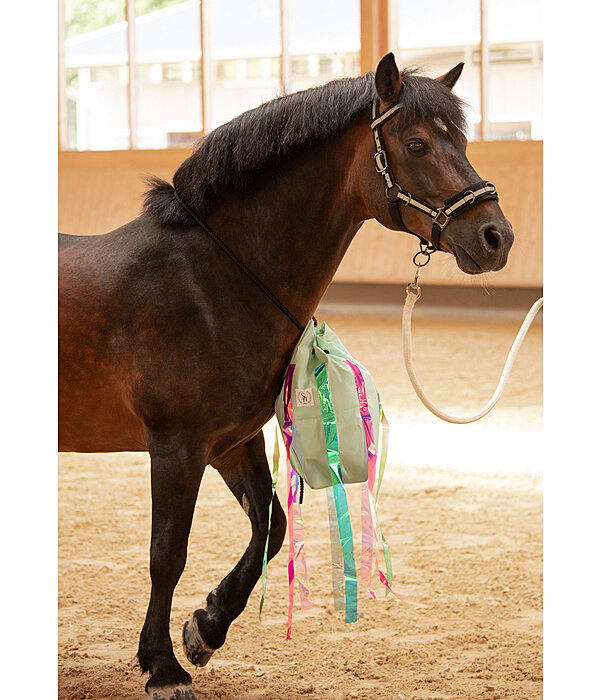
x=422, y=181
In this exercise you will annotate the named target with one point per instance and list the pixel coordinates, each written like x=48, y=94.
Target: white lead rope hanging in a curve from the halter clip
x=412, y=294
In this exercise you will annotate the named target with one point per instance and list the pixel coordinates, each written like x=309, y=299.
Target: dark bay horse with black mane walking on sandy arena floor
x=168, y=344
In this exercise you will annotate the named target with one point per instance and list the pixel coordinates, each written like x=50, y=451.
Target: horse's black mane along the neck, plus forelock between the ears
x=229, y=159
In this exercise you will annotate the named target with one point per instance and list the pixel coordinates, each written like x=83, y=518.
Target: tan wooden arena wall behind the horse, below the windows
x=100, y=190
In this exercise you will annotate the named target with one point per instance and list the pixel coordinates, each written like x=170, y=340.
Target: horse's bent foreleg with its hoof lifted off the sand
x=245, y=470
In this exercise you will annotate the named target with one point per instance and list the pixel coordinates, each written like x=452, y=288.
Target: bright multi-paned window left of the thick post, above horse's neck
x=134, y=75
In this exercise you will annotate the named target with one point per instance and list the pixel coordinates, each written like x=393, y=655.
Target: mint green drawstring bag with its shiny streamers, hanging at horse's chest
x=330, y=418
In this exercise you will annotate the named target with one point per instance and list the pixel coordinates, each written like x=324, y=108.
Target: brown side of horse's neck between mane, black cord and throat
x=293, y=231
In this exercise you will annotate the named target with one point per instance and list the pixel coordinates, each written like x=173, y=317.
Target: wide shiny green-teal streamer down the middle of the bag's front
x=339, y=493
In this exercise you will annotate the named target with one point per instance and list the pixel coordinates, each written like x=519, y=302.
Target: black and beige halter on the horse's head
x=478, y=192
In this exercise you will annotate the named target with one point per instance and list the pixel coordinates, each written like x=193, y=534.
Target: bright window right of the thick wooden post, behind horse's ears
x=437, y=34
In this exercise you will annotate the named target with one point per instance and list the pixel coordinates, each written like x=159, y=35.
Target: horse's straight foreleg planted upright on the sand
x=177, y=465
